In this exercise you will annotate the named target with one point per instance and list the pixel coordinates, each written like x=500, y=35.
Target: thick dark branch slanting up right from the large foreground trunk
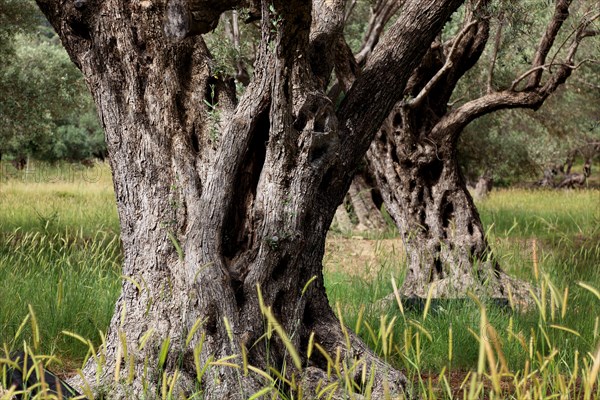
x=387, y=71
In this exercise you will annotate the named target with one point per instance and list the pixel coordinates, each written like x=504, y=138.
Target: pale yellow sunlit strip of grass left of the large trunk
x=53, y=199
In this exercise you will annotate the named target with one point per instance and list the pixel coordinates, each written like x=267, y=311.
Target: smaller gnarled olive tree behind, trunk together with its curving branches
x=414, y=156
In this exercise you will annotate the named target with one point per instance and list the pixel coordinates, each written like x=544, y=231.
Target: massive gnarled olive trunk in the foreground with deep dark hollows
x=218, y=197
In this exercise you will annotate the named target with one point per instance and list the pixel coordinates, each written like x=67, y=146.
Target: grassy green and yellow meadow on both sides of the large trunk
x=60, y=262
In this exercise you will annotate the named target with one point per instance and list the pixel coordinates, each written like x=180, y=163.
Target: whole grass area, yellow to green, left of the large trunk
x=59, y=253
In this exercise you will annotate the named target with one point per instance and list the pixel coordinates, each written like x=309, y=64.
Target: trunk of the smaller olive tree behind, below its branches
x=426, y=195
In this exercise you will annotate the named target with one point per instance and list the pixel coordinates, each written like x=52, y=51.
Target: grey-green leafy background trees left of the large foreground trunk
x=46, y=110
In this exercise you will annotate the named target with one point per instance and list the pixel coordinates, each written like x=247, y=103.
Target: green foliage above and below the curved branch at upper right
x=513, y=145
